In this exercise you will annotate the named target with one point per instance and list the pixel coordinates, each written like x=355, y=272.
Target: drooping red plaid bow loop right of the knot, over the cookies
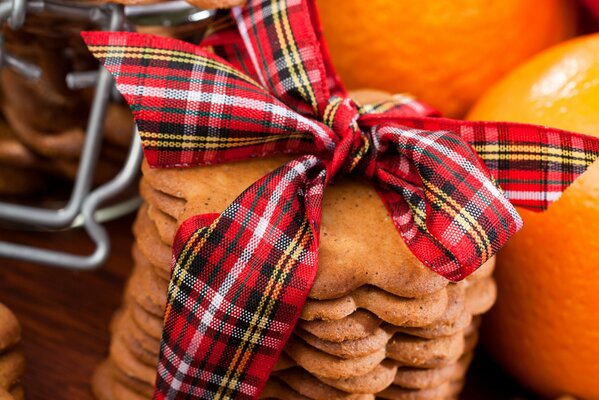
x=443, y=200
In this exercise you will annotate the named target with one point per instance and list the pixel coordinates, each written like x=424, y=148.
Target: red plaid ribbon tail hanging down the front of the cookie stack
x=238, y=286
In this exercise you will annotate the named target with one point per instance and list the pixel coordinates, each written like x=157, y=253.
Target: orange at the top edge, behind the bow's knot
x=446, y=52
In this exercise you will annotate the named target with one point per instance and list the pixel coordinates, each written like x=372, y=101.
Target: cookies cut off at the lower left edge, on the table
x=12, y=362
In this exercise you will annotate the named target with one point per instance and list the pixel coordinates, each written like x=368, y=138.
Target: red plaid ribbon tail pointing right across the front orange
x=532, y=164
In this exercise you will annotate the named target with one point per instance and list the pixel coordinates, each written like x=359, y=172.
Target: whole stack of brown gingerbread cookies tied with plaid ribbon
x=377, y=323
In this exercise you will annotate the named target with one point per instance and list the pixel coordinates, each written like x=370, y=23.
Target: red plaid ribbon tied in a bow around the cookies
x=240, y=279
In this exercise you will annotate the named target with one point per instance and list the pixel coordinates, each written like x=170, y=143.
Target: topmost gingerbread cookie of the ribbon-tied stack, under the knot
x=394, y=270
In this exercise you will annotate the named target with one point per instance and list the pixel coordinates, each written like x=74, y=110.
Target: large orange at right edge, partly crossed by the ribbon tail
x=544, y=328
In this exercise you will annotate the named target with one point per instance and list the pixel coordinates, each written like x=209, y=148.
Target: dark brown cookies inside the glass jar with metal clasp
x=44, y=121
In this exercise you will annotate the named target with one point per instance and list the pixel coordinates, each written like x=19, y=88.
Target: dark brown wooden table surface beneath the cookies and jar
x=65, y=316
